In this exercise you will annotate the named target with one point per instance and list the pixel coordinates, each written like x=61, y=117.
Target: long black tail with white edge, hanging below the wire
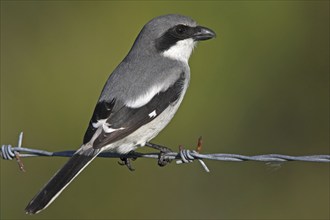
x=58, y=182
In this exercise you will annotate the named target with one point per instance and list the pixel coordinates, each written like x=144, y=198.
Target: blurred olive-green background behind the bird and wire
x=262, y=86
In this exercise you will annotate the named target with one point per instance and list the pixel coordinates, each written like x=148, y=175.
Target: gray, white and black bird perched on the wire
x=138, y=100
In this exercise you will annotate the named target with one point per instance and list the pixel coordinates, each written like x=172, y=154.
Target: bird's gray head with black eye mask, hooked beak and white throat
x=173, y=36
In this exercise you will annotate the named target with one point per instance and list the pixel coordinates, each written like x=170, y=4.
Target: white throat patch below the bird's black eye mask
x=181, y=50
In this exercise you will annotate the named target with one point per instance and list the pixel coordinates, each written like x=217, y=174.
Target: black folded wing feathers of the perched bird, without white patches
x=130, y=119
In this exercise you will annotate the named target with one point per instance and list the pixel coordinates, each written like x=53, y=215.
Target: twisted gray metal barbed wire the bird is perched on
x=183, y=156
